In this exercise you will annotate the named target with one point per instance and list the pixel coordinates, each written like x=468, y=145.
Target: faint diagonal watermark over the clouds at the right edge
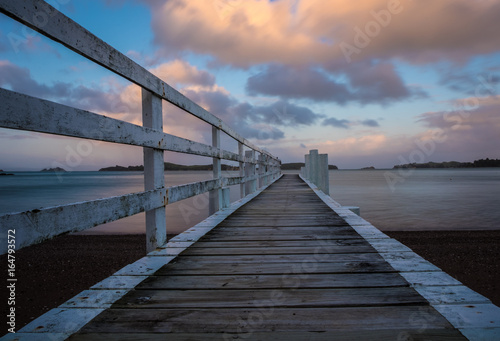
x=457, y=117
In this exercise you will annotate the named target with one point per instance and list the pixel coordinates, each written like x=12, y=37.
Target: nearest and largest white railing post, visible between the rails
x=154, y=178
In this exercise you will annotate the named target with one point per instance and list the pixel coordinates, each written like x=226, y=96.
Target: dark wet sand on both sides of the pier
x=50, y=273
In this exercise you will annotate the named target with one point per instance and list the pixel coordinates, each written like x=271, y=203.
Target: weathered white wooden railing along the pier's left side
x=19, y=111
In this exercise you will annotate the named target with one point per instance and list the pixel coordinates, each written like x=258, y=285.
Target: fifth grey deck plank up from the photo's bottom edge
x=276, y=268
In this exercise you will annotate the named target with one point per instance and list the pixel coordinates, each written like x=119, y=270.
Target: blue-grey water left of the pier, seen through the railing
x=31, y=190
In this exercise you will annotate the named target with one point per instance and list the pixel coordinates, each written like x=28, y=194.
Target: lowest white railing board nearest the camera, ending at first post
x=38, y=225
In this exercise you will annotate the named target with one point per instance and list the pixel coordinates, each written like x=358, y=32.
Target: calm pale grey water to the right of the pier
x=426, y=199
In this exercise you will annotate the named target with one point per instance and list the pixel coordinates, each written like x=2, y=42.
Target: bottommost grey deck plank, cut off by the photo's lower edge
x=414, y=334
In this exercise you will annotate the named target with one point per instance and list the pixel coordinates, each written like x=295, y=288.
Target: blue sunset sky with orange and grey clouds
x=369, y=82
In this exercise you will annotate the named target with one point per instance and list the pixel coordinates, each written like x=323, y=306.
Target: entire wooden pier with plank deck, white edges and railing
x=285, y=262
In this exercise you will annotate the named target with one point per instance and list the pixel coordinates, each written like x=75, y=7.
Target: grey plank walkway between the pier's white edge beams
x=282, y=267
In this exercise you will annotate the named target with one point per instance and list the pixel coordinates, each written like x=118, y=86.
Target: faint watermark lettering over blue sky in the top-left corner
x=41, y=19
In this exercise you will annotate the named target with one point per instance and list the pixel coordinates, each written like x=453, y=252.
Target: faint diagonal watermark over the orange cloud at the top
x=363, y=36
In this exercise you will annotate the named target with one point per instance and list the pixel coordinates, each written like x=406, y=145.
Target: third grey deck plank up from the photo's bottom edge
x=277, y=298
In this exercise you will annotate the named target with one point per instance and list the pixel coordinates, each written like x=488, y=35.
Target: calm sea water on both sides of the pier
x=446, y=199
